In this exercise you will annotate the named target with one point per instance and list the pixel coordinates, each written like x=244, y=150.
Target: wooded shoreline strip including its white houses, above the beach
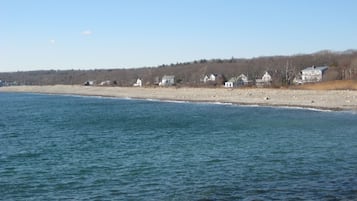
x=274, y=71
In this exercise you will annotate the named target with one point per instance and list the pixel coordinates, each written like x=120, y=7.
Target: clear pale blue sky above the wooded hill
x=88, y=34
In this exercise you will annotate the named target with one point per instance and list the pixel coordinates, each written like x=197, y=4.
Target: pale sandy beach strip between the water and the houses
x=321, y=99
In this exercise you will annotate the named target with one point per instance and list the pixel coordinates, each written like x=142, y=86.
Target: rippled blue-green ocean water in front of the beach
x=90, y=148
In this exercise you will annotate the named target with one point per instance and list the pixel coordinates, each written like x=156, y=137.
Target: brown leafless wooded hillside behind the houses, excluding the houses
x=342, y=65
